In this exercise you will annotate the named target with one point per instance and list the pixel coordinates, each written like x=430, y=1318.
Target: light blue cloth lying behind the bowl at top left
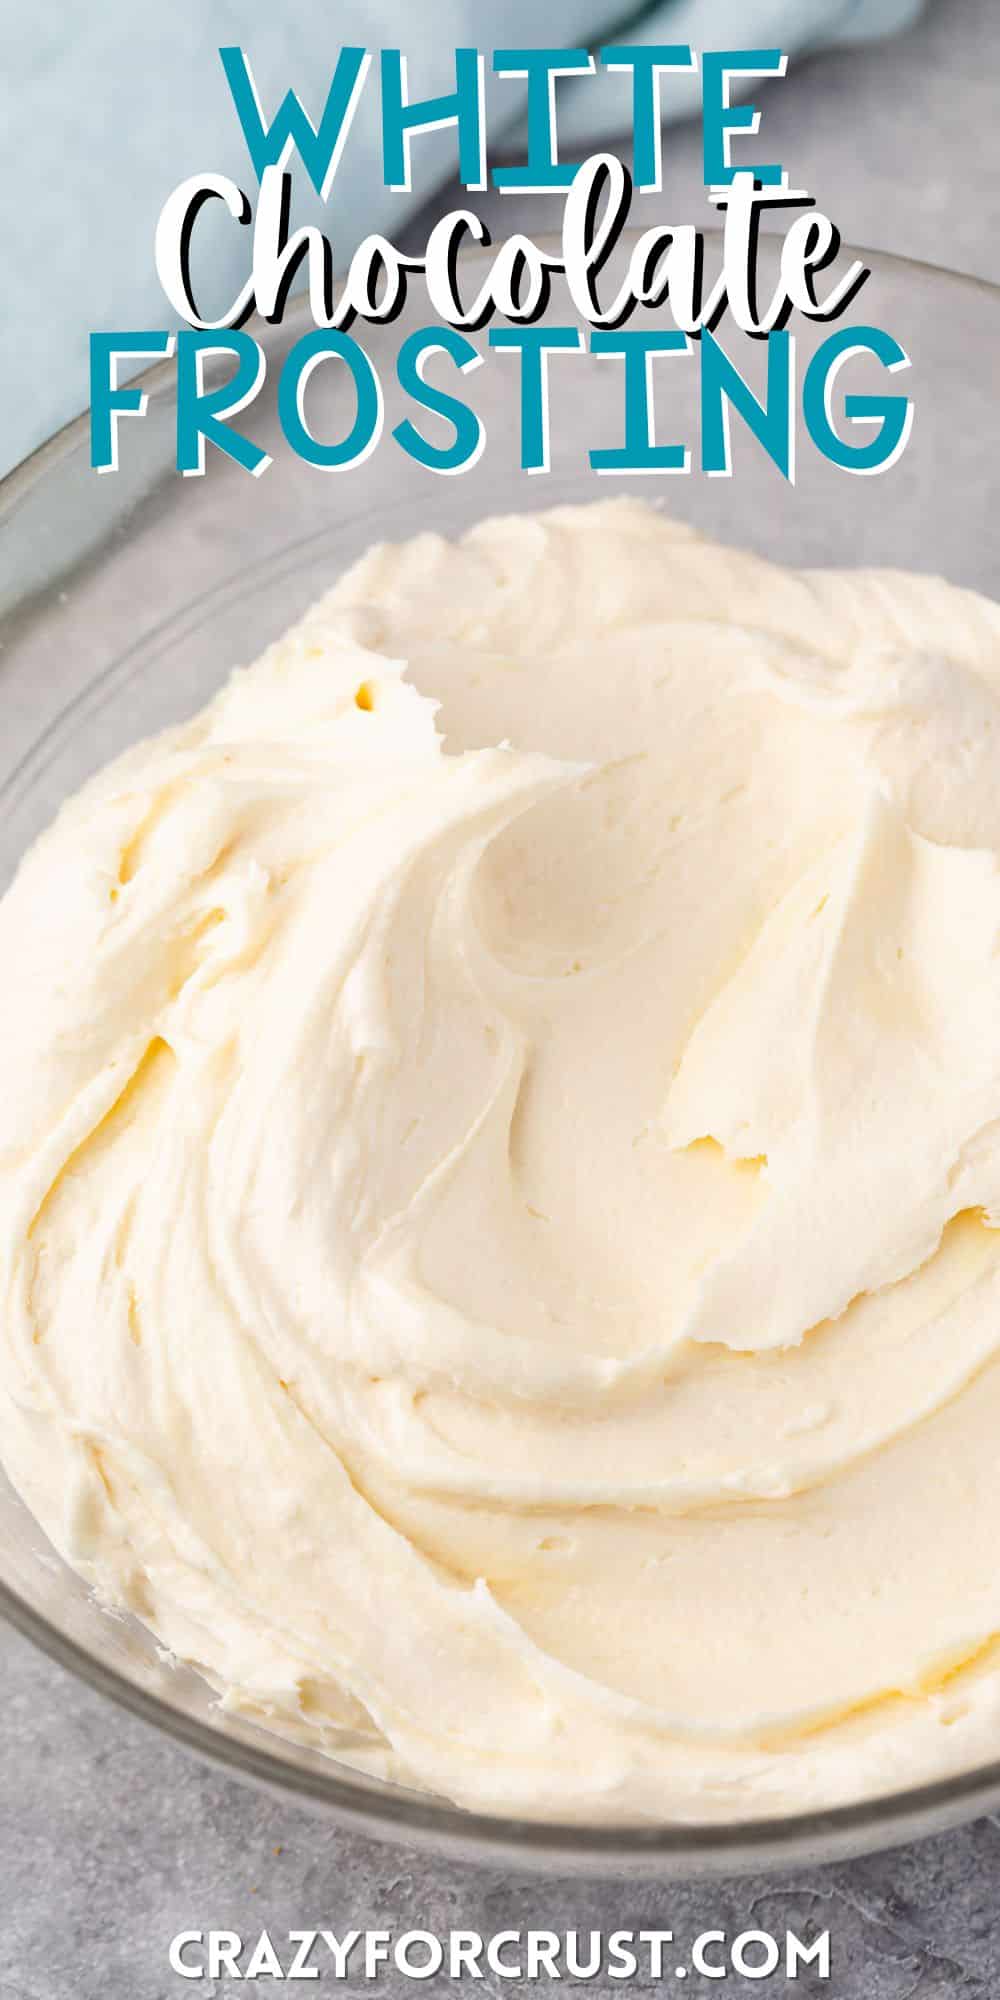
x=105, y=109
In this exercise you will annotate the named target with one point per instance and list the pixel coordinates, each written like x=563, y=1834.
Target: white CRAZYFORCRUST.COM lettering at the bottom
x=509, y=1955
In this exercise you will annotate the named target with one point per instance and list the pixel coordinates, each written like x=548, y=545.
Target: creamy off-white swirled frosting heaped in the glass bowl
x=501, y=1169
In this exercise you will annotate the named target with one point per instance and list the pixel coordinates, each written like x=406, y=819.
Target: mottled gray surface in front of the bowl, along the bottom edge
x=113, y=1841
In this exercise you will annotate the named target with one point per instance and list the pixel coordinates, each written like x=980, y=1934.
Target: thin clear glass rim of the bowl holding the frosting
x=389, y=1813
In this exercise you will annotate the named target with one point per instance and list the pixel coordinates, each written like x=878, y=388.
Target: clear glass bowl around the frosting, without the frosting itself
x=123, y=605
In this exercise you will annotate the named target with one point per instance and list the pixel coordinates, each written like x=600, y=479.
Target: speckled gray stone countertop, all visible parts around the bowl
x=113, y=1839
